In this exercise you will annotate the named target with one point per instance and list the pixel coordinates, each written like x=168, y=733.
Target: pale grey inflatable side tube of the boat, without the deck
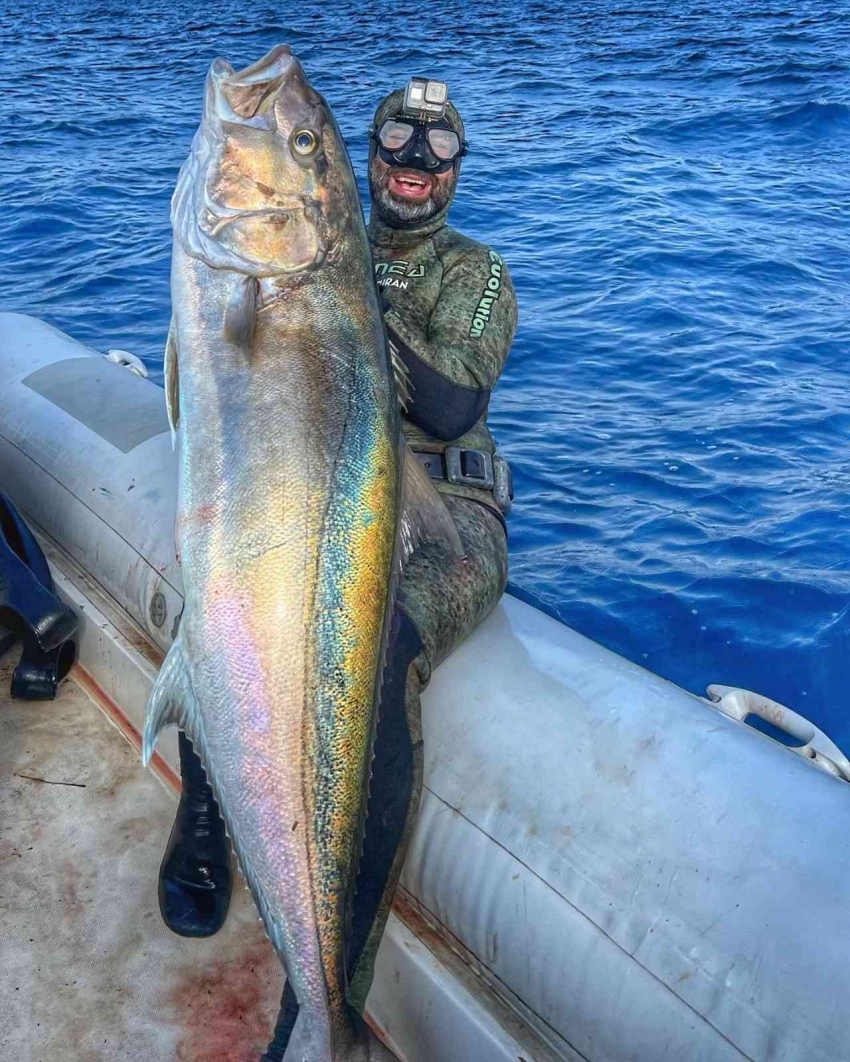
x=606, y=867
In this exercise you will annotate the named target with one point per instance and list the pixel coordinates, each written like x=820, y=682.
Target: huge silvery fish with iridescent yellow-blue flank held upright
x=291, y=523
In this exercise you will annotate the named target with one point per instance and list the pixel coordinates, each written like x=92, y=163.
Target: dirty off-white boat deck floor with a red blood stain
x=90, y=972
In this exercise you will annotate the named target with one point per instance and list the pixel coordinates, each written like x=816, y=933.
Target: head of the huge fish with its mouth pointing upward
x=268, y=189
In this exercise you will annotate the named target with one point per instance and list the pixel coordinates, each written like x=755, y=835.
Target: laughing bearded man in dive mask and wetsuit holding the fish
x=451, y=315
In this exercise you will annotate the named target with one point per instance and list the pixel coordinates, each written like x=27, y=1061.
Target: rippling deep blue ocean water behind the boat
x=670, y=186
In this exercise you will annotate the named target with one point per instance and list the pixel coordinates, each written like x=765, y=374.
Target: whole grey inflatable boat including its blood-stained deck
x=606, y=867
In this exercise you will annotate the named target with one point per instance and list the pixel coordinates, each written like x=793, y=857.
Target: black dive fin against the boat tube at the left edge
x=31, y=611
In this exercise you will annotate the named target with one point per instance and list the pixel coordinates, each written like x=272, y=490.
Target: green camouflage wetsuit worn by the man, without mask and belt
x=451, y=314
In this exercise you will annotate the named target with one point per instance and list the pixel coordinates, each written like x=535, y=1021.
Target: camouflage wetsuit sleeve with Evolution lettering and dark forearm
x=453, y=368
